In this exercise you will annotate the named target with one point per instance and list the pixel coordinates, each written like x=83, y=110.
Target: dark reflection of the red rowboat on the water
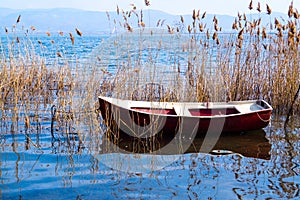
x=249, y=144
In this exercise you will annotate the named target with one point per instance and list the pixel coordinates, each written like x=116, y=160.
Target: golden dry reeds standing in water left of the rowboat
x=39, y=95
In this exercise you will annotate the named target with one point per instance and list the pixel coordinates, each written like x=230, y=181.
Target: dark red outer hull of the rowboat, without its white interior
x=142, y=122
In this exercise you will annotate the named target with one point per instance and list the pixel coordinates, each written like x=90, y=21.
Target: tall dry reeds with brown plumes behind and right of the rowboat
x=252, y=61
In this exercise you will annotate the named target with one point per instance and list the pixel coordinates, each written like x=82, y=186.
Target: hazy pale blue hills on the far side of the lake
x=65, y=19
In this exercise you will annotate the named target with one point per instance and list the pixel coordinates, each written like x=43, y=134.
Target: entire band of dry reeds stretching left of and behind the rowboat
x=203, y=64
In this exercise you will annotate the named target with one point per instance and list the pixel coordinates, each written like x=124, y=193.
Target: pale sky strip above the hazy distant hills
x=230, y=7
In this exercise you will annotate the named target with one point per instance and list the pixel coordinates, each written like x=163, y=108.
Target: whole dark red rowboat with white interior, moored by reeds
x=143, y=119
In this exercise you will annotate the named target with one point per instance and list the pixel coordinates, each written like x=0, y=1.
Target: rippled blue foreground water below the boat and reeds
x=48, y=170
